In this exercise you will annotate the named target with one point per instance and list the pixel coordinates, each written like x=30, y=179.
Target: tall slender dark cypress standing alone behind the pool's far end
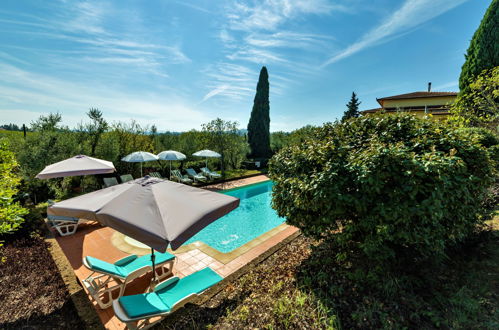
x=259, y=123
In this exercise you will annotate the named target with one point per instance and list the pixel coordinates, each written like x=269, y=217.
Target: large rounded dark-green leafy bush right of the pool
x=392, y=187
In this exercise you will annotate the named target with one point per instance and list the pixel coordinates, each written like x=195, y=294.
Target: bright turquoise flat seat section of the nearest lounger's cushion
x=194, y=283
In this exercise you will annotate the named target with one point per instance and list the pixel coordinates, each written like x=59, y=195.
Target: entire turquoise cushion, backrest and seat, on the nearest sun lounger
x=162, y=301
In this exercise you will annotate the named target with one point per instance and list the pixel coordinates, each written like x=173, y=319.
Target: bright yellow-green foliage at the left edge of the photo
x=11, y=212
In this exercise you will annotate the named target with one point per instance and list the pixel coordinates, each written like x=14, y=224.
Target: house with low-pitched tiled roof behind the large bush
x=420, y=103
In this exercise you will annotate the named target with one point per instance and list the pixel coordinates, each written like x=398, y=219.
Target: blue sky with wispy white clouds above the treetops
x=178, y=64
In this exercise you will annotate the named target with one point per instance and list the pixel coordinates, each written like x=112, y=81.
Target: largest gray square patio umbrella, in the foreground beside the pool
x=156, y=212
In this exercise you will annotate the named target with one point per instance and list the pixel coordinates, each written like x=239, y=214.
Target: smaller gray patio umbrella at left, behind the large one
x=76, y=166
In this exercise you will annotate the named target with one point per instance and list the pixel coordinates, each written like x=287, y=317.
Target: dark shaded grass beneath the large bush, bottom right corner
x=461, y=292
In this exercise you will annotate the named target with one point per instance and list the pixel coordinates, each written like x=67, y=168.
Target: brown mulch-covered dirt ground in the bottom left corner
x=32, y=292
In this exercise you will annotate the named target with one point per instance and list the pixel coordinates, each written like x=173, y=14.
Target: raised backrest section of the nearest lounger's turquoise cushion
x=139, y=305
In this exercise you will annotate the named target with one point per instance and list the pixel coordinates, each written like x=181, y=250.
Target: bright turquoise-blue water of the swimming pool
x=252, y=218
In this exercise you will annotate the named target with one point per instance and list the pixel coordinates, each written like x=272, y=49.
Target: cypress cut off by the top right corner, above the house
x=483, y=52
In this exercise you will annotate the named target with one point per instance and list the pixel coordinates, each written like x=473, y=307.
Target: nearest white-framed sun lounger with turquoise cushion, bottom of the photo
x=137, y=310
